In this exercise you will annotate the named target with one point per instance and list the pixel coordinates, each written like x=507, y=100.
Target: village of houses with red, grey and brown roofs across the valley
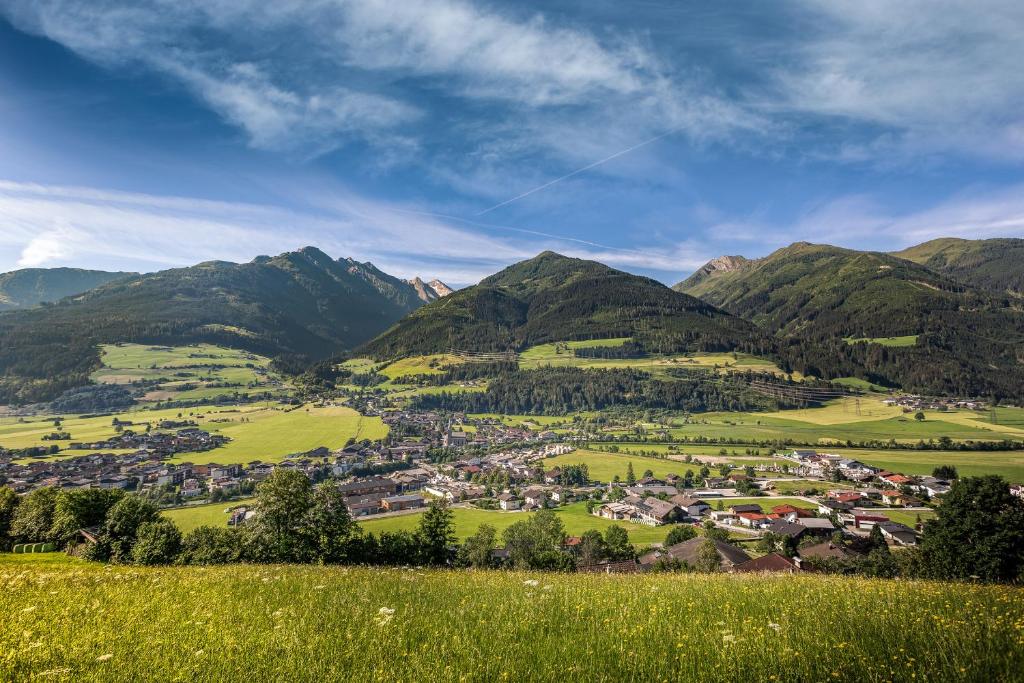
x=487, y=465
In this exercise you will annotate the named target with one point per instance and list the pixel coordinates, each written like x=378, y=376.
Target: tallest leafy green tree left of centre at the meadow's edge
x=279, y=532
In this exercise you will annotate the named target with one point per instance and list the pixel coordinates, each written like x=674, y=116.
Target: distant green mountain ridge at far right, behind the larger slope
x=997, y=266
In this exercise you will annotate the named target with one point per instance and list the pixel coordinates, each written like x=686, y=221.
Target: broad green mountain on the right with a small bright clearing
x=817, y=297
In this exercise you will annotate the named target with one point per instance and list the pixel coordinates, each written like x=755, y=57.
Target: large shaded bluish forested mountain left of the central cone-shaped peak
x=297, y=307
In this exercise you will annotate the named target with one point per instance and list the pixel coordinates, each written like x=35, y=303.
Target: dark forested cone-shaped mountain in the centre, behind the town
x=556, y=298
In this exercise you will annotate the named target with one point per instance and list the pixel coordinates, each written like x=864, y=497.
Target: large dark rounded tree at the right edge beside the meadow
x=978, y=532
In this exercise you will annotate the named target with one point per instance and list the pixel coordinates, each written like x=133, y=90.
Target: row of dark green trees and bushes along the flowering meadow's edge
x=978, y=535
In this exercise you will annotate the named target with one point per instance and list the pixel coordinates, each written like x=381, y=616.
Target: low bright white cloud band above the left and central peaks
x=55, y=226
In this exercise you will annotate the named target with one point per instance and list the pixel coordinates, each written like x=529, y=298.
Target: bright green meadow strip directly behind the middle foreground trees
x=575, y=517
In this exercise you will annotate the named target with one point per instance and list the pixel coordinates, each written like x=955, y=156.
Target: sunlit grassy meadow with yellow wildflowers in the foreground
x=90, y=623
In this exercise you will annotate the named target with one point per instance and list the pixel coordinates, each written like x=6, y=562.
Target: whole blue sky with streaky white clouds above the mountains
x=451, y=138
